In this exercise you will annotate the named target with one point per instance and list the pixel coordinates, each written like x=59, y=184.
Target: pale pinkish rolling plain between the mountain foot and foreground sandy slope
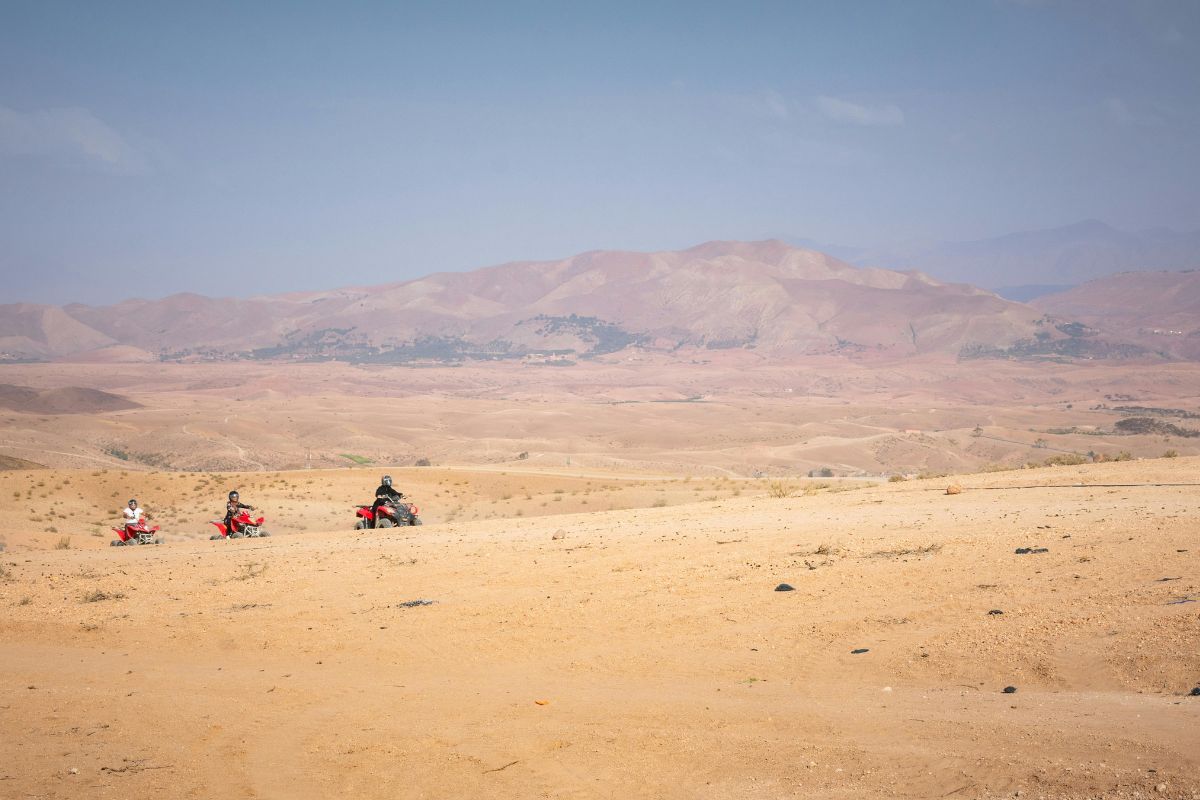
x=734, y=417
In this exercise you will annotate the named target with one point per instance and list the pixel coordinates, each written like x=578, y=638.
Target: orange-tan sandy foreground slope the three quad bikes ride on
x=637, y=652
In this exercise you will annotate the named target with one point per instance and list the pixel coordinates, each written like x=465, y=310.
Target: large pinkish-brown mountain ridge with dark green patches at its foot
x=769, y=297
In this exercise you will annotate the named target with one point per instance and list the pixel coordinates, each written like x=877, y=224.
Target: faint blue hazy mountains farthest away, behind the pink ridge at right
x=1024, y=266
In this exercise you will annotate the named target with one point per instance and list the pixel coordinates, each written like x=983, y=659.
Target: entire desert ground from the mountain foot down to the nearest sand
x=602, y=556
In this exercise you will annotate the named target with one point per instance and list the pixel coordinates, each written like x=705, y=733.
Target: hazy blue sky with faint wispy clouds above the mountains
x=253, y=148
